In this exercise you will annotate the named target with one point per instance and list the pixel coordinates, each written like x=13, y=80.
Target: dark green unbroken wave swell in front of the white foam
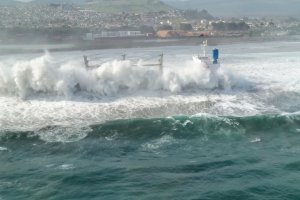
x=182, y=127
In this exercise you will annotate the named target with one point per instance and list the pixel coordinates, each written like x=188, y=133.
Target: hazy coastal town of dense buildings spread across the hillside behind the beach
x=57, y=22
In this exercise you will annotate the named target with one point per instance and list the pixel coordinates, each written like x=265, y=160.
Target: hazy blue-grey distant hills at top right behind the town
x=237, y=8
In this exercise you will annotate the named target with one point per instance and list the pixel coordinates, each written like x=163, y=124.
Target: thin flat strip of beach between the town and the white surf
x=120, y=43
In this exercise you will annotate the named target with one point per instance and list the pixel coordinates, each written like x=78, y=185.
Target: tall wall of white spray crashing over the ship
x=44, y=75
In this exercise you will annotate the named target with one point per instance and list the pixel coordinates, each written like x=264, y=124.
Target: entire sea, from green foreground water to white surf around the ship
x=125, y=131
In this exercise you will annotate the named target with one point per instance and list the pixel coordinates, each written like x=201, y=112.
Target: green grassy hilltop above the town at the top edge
x=130, y=6
